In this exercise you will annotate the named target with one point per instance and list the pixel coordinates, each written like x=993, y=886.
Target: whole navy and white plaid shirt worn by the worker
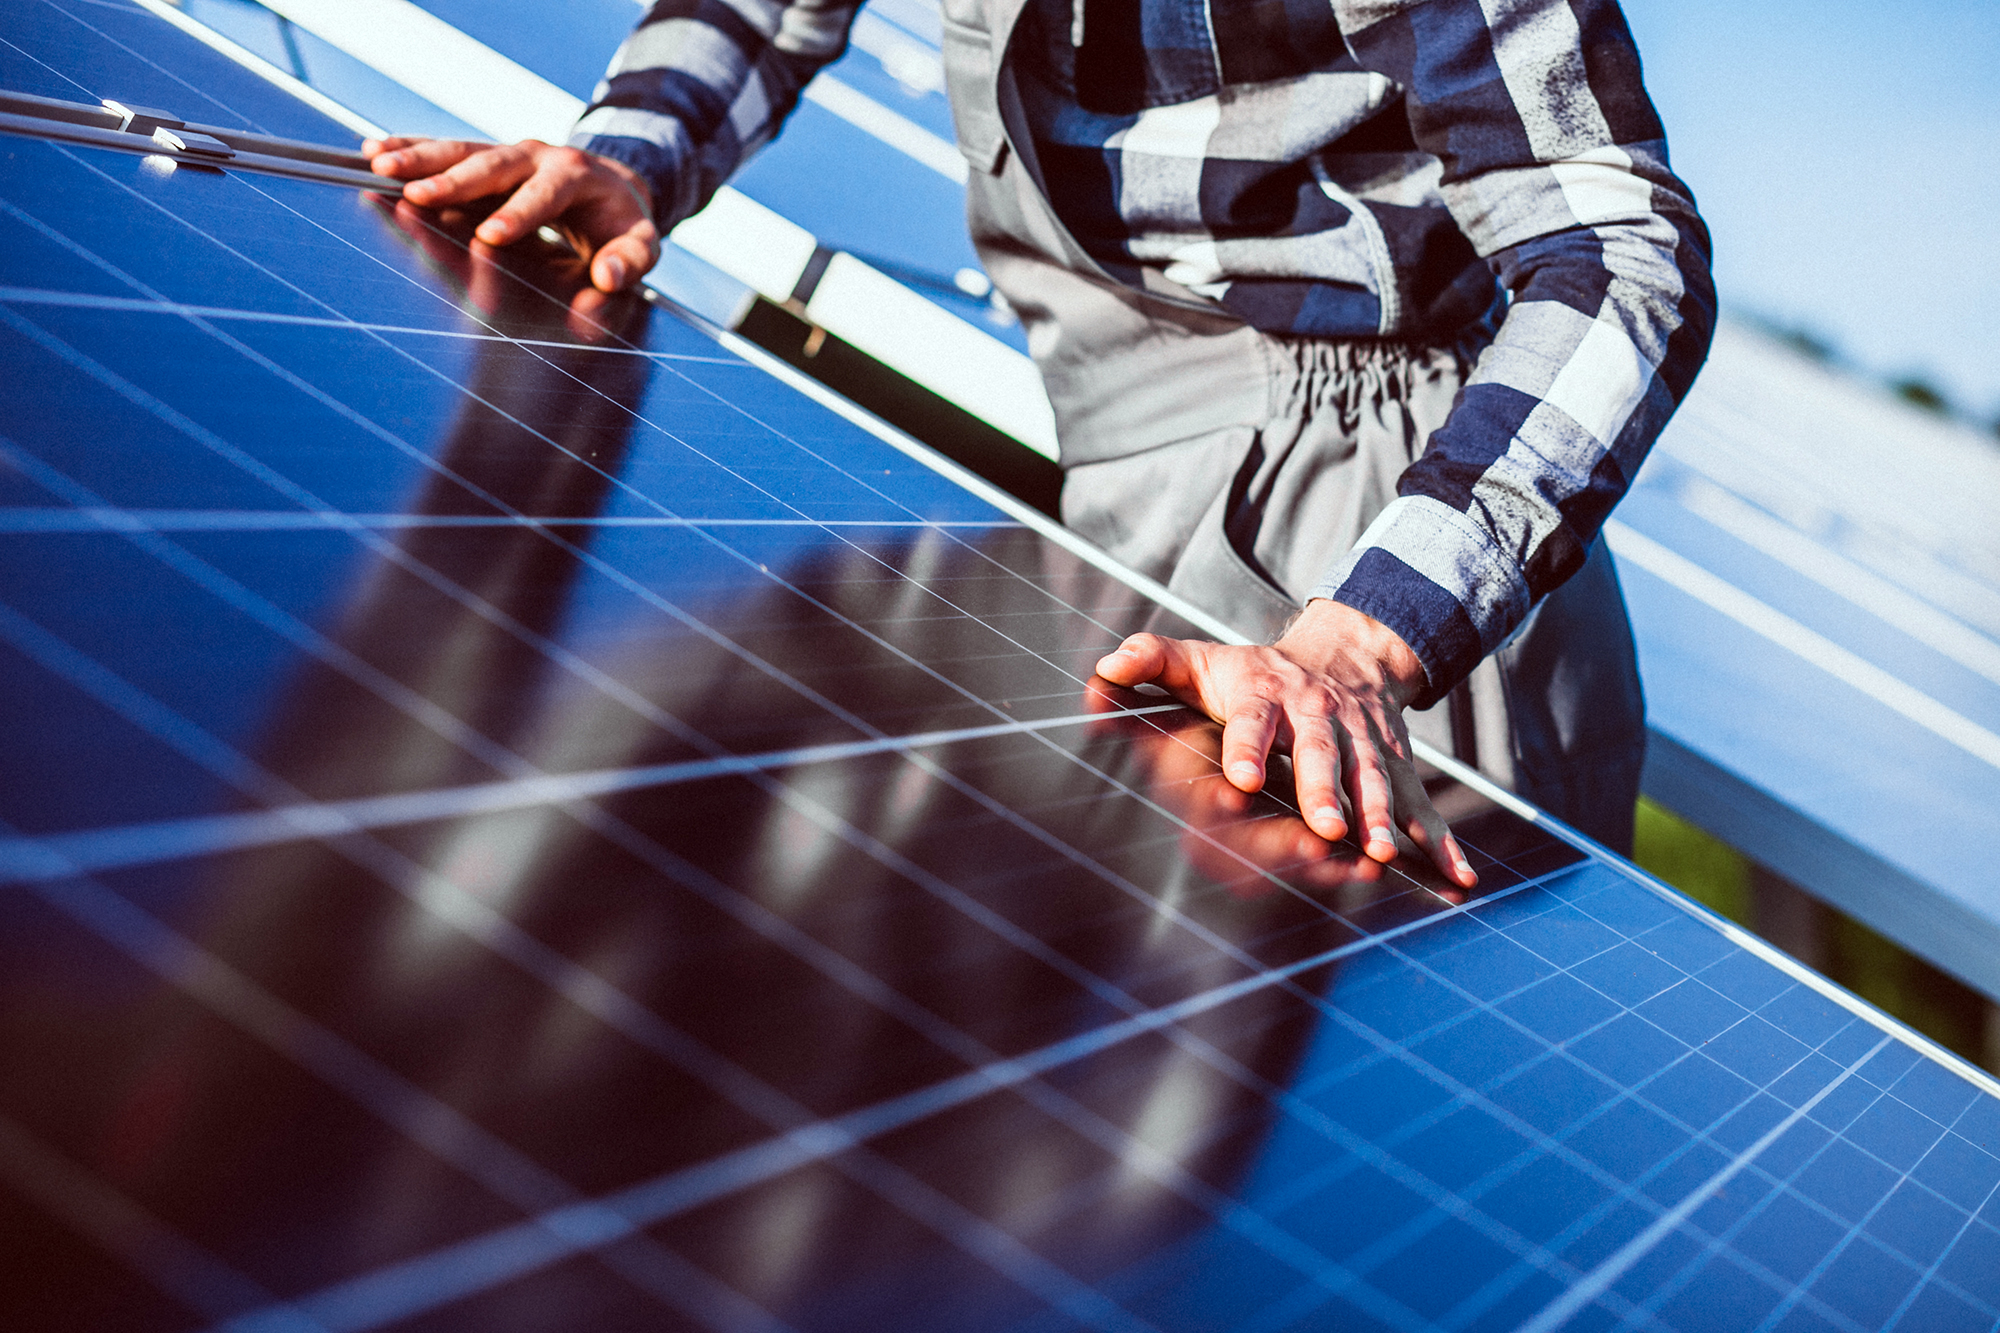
x=1363, y=169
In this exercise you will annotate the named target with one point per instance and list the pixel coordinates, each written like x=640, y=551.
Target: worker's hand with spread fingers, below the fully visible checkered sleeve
x=1331, y=692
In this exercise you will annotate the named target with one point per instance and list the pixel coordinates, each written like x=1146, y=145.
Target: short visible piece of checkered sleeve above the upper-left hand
x=701, y=85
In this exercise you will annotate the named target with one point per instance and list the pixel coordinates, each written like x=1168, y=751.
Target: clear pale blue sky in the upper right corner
x=1847, y=159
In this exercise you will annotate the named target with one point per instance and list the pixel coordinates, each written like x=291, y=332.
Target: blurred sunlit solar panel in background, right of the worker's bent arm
x=1761, y=567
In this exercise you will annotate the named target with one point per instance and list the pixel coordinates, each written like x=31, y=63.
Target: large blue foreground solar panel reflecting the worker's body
x=519, y=818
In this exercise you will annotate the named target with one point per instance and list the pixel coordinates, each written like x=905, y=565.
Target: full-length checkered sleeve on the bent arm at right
x=1555, y=167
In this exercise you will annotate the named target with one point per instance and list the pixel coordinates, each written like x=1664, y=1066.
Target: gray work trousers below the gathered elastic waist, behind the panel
x=1245, y=521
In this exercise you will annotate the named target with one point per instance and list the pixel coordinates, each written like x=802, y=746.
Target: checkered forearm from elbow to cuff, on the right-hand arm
x=1543, y=443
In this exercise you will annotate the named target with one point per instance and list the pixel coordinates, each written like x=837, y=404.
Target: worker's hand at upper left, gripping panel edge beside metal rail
x=603, y=207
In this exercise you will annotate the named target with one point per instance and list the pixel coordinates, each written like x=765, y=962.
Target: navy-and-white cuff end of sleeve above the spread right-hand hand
x=1437, y=579
